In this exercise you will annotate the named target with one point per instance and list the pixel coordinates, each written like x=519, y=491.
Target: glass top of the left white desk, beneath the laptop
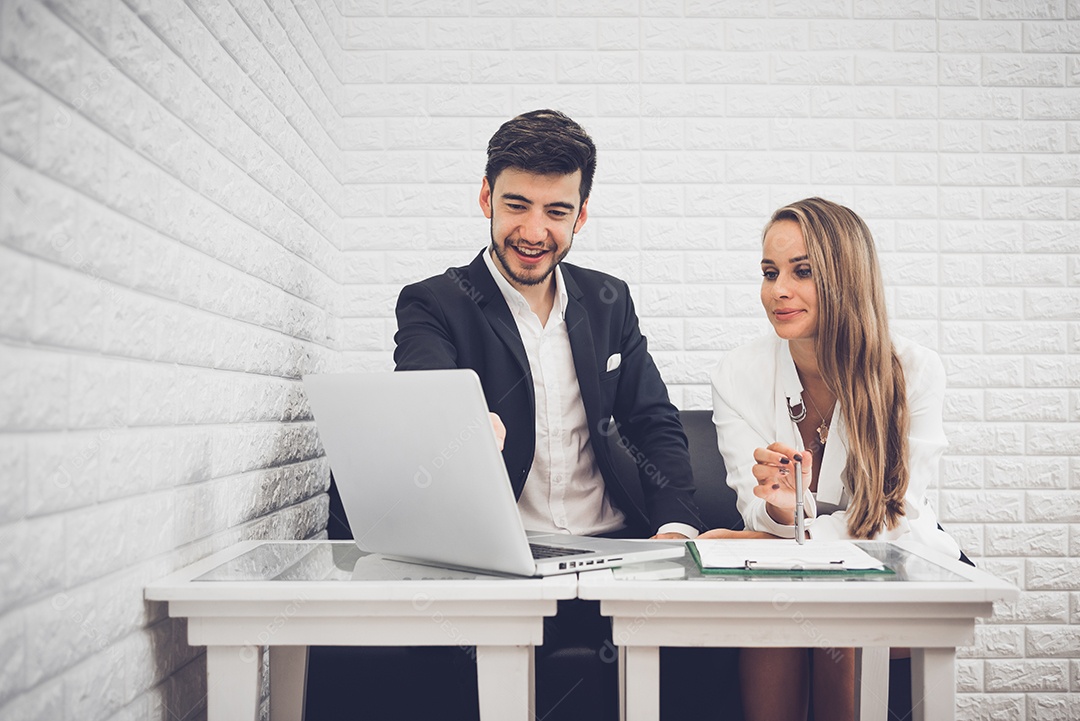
x=331, y=562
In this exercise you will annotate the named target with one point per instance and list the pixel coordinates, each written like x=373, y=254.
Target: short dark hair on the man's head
x=545, y=143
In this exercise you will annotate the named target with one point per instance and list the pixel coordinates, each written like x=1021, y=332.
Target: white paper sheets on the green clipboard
x=782, y=557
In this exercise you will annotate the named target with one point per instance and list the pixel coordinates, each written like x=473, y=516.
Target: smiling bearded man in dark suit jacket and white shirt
x=563, y=364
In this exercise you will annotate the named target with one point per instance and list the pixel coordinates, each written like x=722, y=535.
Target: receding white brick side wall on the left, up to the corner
x=169, y=225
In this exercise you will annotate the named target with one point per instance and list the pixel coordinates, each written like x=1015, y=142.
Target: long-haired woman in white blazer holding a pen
x=860, y=410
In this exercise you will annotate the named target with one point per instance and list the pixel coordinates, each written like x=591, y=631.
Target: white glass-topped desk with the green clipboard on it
x=930, y=606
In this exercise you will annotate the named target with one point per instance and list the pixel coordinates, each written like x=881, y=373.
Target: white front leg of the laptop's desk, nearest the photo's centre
x=505, y=681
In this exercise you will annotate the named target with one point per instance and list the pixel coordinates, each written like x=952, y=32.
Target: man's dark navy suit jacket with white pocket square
x=461, y=320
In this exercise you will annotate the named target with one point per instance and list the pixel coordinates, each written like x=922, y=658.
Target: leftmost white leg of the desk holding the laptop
x=233, y=683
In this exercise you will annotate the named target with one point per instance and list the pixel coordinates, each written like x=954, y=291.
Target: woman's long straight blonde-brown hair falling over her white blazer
x=857, y=360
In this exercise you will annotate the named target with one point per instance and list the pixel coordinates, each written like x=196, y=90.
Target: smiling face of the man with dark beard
x=534, y=220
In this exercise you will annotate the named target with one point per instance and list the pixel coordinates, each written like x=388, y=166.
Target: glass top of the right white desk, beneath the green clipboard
x=906, y=567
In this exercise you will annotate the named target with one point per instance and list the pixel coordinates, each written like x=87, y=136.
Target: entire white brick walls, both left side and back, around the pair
x=200, y=201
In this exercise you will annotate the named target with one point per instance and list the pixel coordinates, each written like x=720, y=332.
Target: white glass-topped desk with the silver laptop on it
x=291, y=595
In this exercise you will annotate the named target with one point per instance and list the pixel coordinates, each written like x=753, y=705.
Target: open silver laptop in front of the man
x=422, y=478
